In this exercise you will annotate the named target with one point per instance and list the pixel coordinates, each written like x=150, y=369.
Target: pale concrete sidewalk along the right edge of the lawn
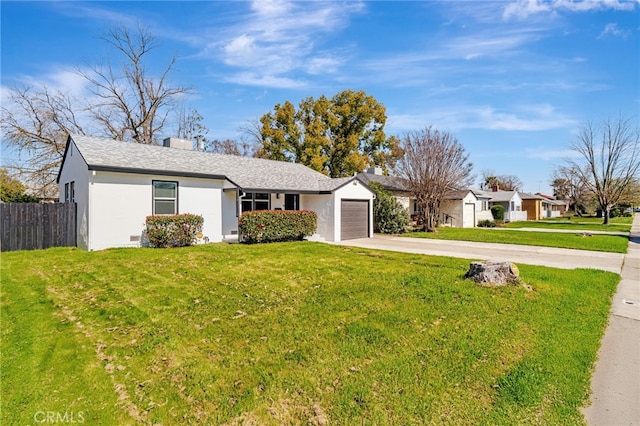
x=615, y=383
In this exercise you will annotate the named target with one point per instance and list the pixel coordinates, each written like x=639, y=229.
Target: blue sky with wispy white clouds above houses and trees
x=513, y=81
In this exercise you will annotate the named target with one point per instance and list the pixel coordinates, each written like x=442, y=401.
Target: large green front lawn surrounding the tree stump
x=293, y=333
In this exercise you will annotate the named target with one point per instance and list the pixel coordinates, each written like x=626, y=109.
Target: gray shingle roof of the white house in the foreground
x=246, y=172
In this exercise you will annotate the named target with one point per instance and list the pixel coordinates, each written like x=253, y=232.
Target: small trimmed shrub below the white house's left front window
x=173, y=230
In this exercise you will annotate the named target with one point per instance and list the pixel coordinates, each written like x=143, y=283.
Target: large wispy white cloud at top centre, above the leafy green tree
x=279, y=39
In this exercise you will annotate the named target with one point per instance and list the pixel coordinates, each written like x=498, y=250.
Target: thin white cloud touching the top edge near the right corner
x=522, y=9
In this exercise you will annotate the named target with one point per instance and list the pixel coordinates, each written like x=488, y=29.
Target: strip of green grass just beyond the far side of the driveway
x=607, y=243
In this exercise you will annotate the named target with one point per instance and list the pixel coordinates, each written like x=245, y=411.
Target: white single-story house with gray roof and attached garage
x=116, y=185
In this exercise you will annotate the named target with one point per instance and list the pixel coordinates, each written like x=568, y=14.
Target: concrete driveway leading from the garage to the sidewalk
x=530, y=255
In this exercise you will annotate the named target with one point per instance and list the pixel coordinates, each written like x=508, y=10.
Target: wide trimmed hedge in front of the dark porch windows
x=277, y=225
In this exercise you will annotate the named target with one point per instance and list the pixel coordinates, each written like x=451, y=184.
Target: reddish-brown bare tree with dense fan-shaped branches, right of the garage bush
x=433, y=164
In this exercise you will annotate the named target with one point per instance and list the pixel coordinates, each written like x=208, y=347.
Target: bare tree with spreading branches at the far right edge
x=608, y=160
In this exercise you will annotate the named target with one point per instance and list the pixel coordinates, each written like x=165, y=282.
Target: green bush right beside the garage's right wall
x=389, y=216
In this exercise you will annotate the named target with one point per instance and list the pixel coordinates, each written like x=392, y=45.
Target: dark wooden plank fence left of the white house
x=31, y=226
